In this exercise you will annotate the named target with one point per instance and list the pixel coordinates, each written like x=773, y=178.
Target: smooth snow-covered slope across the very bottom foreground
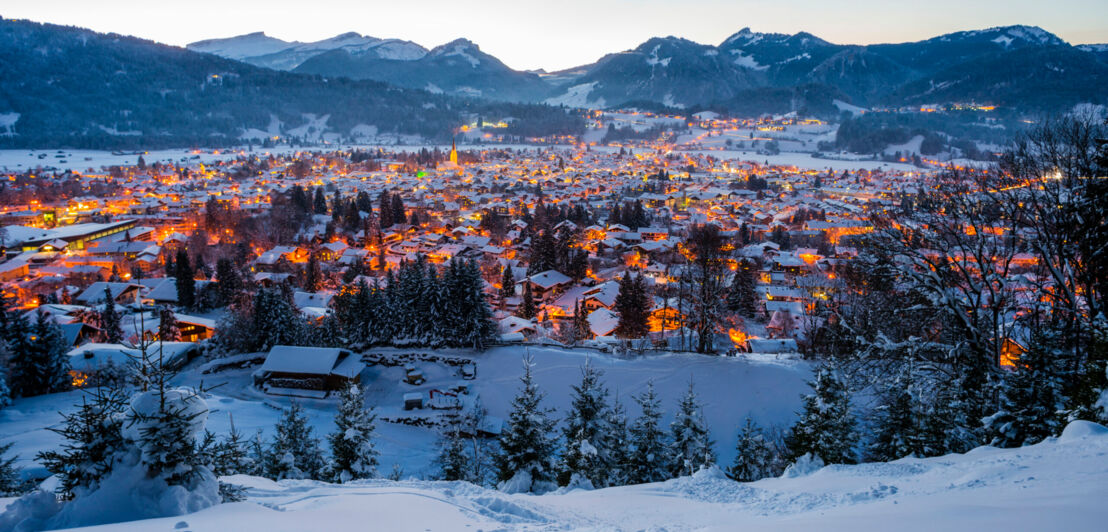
x=1059, y=485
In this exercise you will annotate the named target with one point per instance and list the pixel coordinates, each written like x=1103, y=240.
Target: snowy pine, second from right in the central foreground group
x=650, y=459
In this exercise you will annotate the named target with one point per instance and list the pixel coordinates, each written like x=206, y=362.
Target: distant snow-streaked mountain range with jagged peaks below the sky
x=1018, y=66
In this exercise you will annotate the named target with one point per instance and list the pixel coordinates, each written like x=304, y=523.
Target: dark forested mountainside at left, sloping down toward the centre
x=74, y=88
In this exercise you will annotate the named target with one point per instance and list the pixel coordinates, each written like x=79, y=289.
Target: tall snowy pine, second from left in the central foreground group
x=586, y=461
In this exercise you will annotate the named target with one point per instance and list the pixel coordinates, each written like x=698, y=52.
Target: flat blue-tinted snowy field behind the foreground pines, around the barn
x=764, y=387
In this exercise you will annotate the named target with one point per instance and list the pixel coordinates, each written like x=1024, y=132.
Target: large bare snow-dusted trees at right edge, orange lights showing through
x=939, y=318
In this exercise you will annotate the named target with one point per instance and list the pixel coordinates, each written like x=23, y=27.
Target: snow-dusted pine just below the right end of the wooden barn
x=353, y=453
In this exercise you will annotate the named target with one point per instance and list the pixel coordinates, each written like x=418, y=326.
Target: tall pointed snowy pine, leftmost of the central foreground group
x=526, y=463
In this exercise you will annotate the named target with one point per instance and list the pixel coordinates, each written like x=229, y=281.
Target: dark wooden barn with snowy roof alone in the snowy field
x=307, y=372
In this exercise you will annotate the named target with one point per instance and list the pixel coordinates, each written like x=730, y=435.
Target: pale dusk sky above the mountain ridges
x=562, y=34
